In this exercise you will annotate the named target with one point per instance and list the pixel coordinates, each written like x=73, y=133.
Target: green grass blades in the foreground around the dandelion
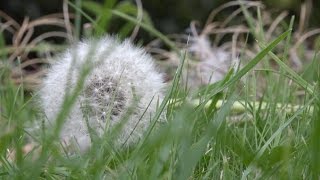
x=200, y=140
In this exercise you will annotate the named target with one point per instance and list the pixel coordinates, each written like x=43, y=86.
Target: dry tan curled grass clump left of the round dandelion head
x=27, y=53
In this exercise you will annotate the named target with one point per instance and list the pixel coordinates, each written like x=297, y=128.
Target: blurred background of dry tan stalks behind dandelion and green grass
x=32, y=31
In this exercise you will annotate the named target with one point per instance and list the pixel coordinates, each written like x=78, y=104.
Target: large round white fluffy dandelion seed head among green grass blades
x=121, y=74
